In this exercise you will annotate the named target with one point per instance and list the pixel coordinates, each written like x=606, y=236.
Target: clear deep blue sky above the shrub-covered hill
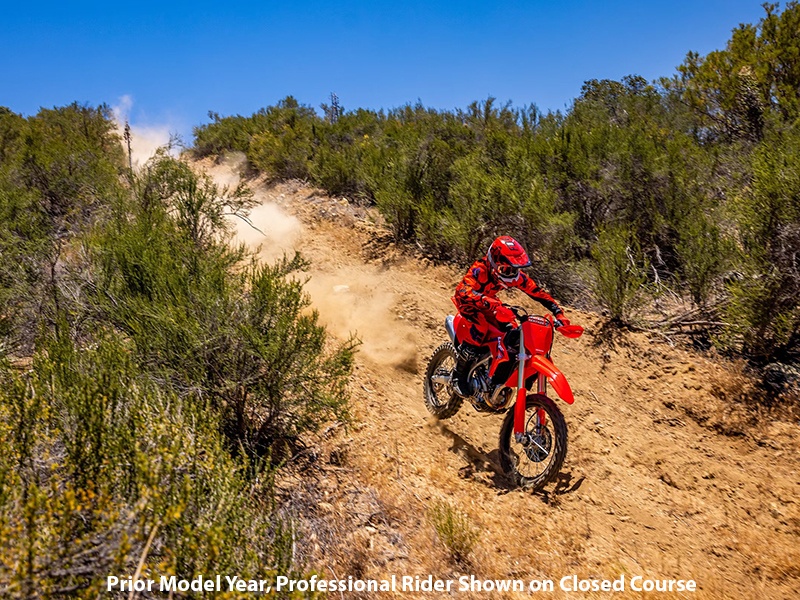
x=167, y=64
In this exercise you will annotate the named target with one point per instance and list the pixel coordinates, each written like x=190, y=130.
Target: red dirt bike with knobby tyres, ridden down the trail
x=533, y=438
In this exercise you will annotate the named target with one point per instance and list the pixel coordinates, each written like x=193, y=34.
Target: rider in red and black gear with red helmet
x=476, y=300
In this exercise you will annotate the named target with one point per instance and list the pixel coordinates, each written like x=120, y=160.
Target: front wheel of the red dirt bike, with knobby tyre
x=535, y=459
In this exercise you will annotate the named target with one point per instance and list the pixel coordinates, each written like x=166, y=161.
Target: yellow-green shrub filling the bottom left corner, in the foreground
x=98, y=459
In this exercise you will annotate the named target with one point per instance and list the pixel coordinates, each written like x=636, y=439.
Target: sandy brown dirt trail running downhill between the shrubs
x=650, y=485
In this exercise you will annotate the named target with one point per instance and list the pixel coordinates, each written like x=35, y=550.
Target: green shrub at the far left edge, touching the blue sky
x=59, y=170
